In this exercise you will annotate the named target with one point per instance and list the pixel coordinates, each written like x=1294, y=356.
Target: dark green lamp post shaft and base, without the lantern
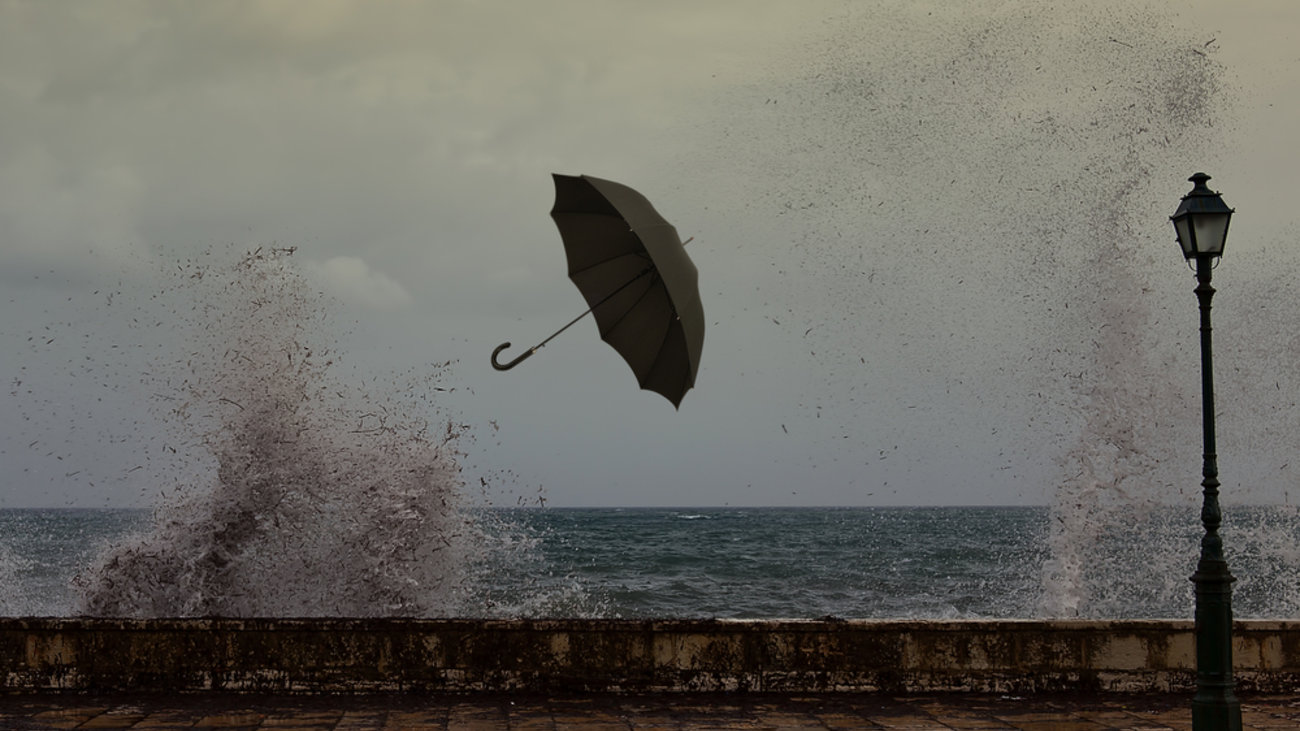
x=1216, y=706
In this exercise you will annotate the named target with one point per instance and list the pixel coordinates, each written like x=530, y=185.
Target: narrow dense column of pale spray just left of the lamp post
x=1111, y=474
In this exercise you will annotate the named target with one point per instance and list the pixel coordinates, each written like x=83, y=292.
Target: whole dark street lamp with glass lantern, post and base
x=1202, y=224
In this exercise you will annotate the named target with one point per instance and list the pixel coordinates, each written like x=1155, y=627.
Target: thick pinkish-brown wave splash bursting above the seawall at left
x=297, y=492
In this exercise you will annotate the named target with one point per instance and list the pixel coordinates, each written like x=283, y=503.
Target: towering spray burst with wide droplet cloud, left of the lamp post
x=981, y=194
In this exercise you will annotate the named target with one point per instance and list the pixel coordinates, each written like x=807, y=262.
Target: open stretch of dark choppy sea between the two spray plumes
x=796, y=563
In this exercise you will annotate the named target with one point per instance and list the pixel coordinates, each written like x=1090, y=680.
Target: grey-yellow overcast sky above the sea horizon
x=918, y=232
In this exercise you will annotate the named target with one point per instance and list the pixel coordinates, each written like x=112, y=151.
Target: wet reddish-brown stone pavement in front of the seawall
x=627, y=712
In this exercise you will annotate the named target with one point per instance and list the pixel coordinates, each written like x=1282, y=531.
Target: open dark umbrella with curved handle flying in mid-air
x=634, y=271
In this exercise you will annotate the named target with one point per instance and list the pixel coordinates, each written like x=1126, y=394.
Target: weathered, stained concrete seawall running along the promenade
x=345, y=656
